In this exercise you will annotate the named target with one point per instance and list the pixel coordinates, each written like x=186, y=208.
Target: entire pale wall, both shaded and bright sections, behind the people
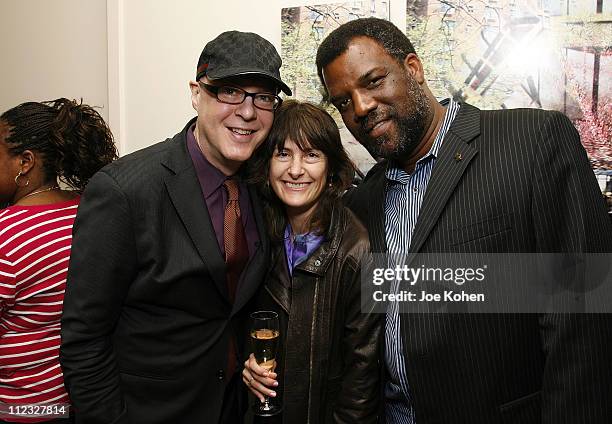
x=134, y=58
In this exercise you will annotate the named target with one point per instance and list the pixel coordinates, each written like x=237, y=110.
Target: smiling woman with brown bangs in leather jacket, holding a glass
x=327, y=361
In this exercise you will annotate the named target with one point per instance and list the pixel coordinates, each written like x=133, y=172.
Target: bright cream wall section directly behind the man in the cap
x=162, y=41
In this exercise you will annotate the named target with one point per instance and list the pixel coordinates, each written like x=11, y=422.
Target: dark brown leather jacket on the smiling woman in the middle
x=328, y=359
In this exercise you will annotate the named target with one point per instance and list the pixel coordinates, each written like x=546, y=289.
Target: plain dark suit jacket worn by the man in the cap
x=147, y=320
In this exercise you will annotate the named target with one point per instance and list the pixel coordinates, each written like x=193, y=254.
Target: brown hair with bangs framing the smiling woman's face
x=308, y=126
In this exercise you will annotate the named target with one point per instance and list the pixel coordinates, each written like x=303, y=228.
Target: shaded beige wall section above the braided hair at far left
x=51, y=49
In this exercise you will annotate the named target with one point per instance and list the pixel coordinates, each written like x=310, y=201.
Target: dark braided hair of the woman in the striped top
x=72, y=138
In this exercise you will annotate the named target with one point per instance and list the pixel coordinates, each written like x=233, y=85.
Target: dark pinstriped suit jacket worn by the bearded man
x=504, y=181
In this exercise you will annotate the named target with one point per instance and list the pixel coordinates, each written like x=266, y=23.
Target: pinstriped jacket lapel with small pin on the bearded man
x=454, y=157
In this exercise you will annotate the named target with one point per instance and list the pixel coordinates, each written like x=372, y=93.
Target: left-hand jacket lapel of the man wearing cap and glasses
x=186, y=196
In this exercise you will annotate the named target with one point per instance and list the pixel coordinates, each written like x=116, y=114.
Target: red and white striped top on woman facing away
x=34, y=253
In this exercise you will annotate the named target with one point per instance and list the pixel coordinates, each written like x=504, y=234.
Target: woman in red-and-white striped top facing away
x=40, y=144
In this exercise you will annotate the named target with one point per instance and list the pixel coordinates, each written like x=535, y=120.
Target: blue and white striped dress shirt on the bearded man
x=404, y=196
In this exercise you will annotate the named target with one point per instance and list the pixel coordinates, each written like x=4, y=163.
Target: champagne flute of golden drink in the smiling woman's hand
x=264, y=335
